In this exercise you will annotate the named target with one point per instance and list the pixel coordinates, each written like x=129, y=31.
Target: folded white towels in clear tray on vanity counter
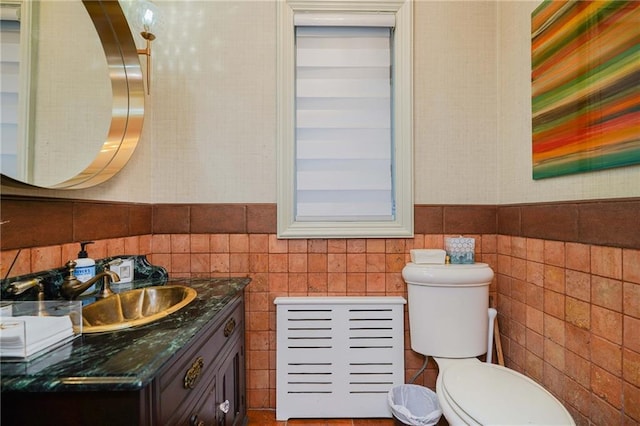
x=25, y=335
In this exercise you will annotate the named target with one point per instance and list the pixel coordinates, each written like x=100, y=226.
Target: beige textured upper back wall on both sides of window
x=218, y=117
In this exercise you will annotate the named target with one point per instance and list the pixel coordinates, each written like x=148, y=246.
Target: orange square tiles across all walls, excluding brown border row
x=569, y=313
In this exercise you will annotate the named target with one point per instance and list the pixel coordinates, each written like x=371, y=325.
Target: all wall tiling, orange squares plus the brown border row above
x=569, y=305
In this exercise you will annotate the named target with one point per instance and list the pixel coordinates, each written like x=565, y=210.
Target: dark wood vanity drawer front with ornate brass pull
x=184, y=382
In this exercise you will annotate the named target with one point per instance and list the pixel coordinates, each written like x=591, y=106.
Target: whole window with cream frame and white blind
x=344, y=120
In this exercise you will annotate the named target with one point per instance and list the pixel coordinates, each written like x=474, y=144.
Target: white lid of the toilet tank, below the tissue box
x=448, y=274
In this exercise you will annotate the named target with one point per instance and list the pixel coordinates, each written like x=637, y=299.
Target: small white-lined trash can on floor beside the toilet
x=414, y=405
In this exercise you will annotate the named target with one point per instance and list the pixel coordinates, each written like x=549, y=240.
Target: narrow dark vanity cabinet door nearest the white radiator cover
x=231, y=386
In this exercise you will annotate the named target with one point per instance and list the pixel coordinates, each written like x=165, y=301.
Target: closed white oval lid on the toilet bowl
x=494, y=395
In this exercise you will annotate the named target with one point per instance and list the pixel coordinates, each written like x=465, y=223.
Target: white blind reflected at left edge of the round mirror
x=9, y=87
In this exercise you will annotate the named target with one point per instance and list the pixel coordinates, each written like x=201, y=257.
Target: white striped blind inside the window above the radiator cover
x=343, y=120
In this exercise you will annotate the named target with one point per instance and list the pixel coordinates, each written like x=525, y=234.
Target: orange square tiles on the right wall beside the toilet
x=570, y=317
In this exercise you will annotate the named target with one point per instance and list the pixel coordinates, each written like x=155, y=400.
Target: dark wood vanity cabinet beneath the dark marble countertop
x=203, y=384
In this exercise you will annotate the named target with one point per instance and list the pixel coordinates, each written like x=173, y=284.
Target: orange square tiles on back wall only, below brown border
x=319, y=267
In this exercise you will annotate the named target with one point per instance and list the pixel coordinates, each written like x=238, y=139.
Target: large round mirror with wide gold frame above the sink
x=82, y=114
